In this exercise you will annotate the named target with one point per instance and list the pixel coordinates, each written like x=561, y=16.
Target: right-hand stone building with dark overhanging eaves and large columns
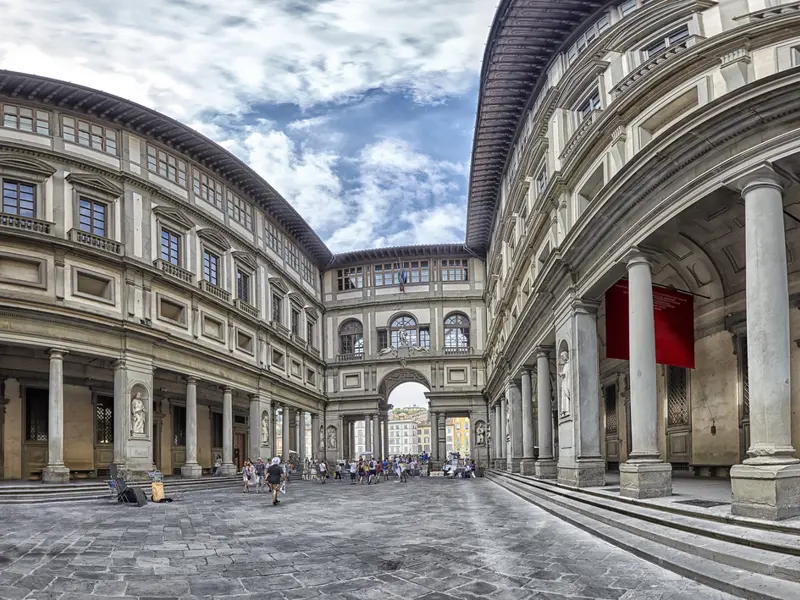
x=654, y=142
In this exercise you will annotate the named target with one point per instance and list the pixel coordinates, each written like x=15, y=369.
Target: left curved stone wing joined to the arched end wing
x=164, y=307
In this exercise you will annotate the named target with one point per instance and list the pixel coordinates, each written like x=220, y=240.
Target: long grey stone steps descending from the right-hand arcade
x=735, y=568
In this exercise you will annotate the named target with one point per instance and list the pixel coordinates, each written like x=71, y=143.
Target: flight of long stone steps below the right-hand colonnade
x=747, y=558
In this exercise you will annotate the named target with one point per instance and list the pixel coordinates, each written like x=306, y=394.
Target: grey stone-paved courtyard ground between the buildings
x=430, y=539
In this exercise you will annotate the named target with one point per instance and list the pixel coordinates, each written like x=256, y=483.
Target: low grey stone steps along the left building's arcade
x=40, y=493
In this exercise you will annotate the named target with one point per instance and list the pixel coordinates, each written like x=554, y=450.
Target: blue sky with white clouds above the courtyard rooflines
x=360, y=112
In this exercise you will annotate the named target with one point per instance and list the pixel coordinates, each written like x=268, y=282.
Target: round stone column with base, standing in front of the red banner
x=644, y=475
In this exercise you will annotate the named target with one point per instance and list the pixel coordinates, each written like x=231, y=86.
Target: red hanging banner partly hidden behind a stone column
x=674, y=325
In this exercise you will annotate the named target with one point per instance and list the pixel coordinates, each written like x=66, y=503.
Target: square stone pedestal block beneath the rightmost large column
x=766, y=491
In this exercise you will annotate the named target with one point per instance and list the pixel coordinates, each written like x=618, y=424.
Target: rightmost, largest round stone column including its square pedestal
x=766, y=485
